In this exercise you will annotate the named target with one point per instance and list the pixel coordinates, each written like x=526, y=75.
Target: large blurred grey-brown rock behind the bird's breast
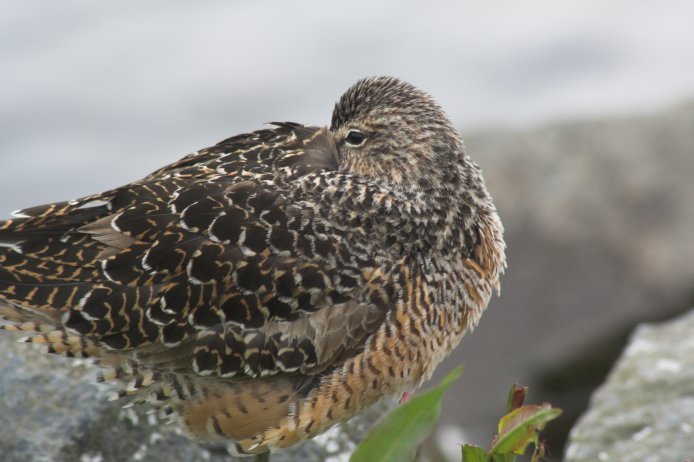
x=599, y=219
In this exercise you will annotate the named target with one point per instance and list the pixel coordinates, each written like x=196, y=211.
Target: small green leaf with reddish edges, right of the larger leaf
x=520, y=427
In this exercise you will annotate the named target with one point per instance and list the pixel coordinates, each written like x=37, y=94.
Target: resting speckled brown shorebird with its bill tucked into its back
x=259, y=291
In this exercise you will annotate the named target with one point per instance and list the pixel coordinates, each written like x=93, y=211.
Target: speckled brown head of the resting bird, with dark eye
x=388, y=130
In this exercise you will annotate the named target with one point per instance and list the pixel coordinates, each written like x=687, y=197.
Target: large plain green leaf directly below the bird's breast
x=397, y=437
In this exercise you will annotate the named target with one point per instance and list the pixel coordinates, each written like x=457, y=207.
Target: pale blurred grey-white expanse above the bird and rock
x=96, y=94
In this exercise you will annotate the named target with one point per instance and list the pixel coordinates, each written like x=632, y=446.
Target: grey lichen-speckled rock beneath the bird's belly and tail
x=51, y=410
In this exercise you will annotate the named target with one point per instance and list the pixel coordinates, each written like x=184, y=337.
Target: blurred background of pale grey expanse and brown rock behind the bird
x=581, y=116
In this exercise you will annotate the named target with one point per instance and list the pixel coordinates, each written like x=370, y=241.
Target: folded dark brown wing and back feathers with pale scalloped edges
x=215, y=257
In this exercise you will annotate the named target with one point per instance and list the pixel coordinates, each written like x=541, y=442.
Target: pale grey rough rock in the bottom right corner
x=645, y=410
